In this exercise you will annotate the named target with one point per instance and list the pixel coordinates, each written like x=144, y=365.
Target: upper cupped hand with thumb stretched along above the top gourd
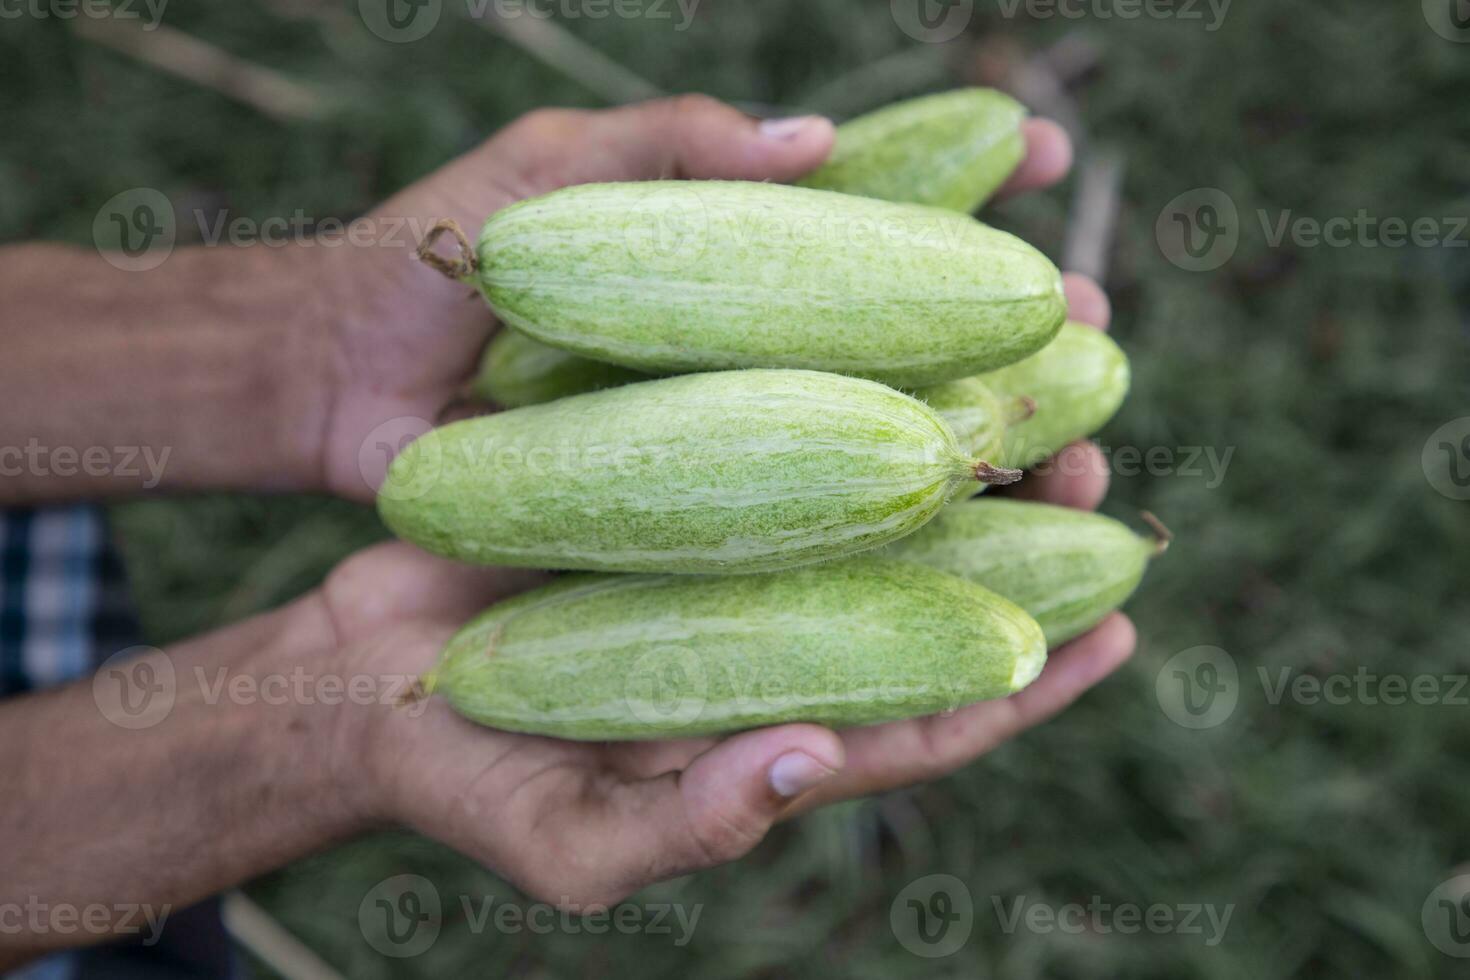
x=405, y=342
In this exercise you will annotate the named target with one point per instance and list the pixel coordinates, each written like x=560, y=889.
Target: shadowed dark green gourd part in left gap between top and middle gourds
x=517, y=371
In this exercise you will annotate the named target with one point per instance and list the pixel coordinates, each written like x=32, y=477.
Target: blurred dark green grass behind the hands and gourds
x=1324, y=550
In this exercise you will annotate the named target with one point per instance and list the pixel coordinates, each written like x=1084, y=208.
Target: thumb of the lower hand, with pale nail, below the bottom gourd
x=717, y=810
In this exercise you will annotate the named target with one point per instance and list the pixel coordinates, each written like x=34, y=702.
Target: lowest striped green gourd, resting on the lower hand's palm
x=637, y=657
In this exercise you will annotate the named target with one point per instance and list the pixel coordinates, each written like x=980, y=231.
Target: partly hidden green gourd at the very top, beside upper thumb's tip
x=950, y=151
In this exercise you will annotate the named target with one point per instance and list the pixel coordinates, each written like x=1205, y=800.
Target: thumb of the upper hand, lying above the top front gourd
x=699, y=137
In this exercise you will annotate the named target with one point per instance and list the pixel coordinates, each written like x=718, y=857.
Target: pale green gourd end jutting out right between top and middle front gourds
x=1078, y=383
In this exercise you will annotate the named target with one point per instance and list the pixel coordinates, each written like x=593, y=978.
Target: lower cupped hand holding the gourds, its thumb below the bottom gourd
x=589, y=824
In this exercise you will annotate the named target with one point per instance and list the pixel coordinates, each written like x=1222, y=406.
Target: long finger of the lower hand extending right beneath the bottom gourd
x=903, y=753
